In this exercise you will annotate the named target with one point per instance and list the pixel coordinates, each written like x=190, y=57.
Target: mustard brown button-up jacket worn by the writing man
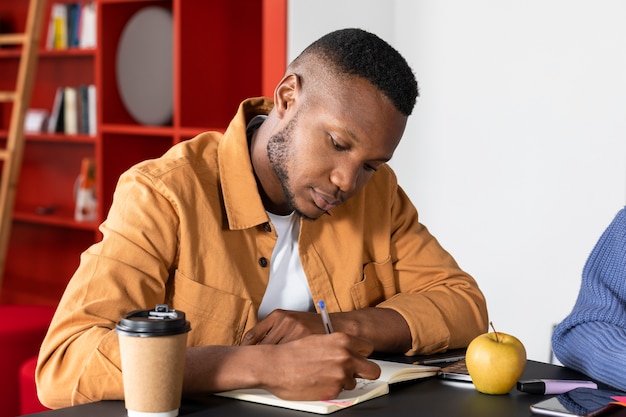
x=189, y=229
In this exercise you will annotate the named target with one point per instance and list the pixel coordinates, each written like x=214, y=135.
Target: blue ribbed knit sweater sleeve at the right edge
x=592, y=338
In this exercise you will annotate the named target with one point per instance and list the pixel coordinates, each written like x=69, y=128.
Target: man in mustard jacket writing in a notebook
x=245, y=231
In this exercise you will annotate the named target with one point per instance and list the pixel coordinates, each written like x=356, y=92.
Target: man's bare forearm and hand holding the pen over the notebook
x=315, y=367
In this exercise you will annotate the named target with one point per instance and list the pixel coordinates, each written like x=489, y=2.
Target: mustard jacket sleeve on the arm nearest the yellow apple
x=442, y=304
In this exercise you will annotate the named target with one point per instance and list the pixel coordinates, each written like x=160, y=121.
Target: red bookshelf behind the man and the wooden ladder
x=223, y=51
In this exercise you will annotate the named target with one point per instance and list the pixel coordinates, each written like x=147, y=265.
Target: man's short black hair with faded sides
x=361, y=53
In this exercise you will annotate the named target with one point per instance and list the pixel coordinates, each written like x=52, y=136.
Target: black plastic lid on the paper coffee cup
x=150, y=323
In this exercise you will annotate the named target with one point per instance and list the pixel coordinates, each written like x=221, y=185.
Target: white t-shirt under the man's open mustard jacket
x=288, y=287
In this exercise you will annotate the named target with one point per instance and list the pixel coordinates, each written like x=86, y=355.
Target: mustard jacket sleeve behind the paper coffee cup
x=79, y=359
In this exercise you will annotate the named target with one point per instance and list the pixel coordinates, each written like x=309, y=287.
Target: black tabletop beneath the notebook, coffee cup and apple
x=432, y=397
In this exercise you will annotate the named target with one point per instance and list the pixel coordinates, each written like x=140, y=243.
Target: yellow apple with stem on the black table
x=495, y=362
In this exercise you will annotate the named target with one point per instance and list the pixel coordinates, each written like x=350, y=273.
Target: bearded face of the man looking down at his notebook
x=328, y=149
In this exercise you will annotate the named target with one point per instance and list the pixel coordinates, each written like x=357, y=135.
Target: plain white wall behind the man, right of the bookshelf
x=515, y=155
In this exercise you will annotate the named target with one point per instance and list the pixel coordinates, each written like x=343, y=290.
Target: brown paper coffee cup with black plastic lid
x=152, y=348
